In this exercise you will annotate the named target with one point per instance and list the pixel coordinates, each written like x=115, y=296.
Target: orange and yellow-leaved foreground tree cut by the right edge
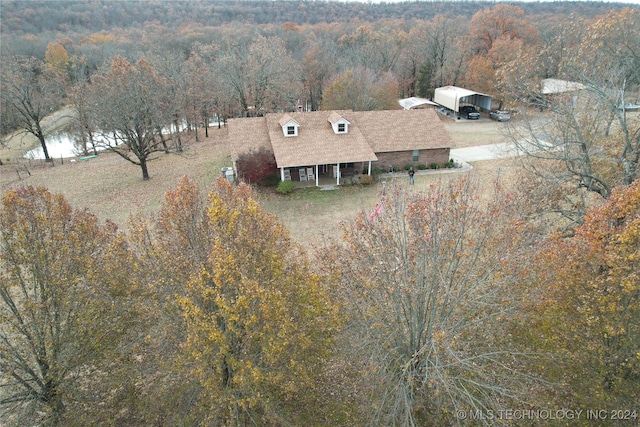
x=585, y=305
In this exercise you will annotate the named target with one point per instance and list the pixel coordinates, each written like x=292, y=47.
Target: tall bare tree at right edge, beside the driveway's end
x=582, y=128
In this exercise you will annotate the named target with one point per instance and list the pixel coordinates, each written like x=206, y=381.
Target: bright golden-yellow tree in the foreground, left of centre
x=258, y=322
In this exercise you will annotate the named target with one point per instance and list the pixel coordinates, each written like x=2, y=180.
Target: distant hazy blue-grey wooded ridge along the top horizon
x=43, y=16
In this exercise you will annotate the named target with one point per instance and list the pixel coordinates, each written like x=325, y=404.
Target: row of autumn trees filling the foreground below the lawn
x=444, y=303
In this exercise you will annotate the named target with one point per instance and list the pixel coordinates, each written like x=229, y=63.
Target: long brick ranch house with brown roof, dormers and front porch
x=323, y=147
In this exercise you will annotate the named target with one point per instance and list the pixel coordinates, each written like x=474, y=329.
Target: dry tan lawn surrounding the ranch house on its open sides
x=112, y=188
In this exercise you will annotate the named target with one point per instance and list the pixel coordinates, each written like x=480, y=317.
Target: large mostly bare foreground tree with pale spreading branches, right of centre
x=422, y=280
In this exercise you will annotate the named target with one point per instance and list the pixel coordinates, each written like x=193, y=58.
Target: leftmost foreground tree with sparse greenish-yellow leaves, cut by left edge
x=64, y=309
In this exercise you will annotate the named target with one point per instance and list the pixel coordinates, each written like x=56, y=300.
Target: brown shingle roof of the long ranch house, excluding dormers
x=370, y=132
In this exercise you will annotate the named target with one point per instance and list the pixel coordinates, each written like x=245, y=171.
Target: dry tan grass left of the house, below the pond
x=113, y=188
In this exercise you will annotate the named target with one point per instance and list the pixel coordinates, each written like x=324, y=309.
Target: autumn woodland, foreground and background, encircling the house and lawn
x=469, y=303
